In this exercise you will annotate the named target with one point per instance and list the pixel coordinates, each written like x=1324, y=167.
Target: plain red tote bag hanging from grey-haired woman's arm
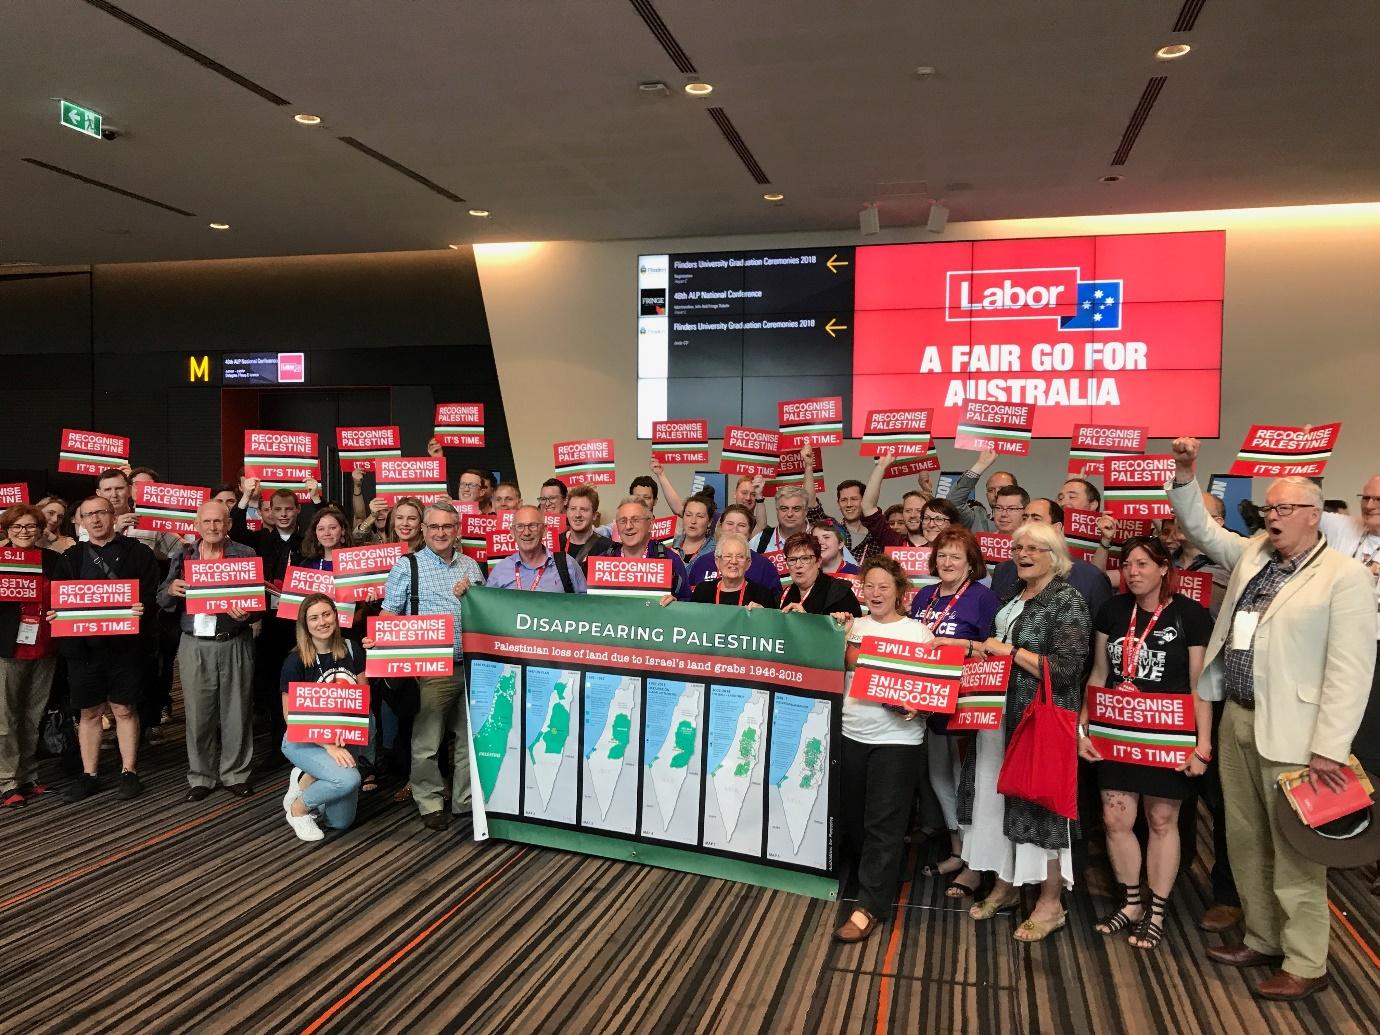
x=1041, y=764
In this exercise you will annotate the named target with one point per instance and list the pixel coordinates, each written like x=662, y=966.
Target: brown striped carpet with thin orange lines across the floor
x=159, y=916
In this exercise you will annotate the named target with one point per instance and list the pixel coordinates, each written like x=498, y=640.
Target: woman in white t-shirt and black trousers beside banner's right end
x=881, y=756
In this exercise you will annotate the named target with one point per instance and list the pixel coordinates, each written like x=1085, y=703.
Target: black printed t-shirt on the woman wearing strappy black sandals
x=1163, y=666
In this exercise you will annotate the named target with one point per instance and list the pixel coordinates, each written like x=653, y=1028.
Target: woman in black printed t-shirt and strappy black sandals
x=1149, y=641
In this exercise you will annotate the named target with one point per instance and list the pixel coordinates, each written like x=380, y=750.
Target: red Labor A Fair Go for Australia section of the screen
x=1117, y=331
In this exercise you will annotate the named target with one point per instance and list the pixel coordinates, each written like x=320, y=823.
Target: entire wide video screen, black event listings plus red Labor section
x=1113, y=329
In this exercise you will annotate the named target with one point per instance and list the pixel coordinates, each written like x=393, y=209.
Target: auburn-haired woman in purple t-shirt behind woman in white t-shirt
x=960, y=609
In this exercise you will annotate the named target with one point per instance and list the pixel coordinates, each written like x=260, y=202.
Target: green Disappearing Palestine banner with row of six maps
x=601, y=727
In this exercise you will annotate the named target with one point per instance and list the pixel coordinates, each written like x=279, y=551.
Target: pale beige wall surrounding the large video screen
x=1301, y=344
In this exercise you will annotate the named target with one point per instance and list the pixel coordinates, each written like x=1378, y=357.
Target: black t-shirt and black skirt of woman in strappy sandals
x=1163, y=669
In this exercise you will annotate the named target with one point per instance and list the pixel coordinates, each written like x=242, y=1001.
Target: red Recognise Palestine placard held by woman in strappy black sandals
x=1142, y=729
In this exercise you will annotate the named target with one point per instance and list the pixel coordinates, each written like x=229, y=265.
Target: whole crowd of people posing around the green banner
x=1280, y=669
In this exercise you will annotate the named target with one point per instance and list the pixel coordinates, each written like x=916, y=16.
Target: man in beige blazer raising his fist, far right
x=1292, y=655
